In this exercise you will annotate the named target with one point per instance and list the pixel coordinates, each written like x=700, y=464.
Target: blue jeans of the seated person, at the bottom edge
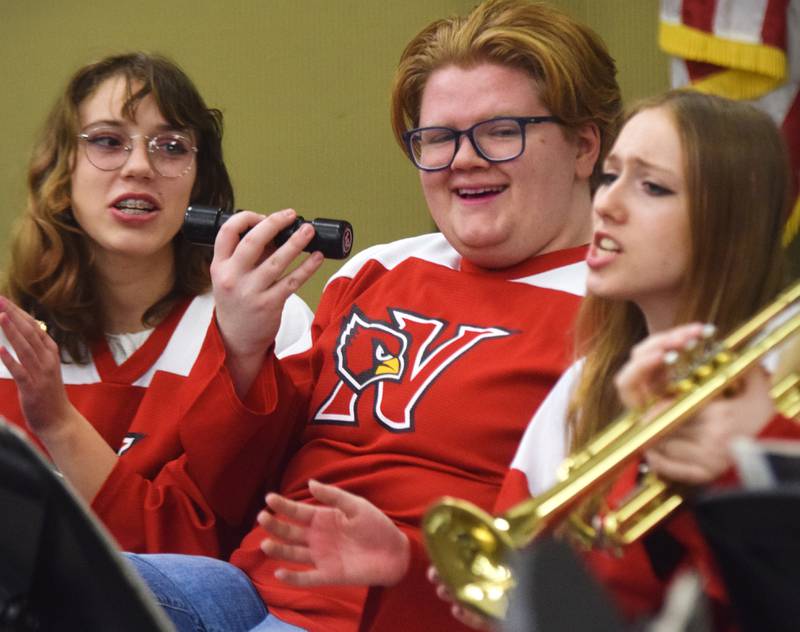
x=201, y=594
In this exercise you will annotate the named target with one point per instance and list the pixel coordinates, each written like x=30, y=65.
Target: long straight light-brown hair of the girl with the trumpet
x=737, y=177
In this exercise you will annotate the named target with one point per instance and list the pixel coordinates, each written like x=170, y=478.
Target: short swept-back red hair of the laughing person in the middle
x=570, y=64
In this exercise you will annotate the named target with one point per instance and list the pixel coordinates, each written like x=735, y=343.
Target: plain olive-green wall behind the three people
x=304, y=86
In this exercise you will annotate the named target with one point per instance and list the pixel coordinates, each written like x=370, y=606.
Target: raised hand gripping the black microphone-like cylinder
x=251, y=282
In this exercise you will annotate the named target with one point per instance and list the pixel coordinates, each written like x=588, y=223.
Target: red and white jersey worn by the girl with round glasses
x=135, y=406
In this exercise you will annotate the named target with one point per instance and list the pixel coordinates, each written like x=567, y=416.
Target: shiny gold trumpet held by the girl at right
x=473, y=550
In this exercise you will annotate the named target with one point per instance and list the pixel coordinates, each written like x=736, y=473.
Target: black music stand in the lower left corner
x=59, y=569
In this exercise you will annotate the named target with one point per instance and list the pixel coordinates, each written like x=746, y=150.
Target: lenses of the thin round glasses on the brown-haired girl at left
x=171, y=154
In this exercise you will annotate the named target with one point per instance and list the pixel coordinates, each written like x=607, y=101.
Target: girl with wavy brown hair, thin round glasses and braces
x=121, y=298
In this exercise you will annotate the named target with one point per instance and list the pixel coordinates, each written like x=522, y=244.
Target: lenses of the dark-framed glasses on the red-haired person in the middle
x=498, y=139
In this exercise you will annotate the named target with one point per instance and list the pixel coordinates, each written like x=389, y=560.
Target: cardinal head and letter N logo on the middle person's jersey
x=393, y=363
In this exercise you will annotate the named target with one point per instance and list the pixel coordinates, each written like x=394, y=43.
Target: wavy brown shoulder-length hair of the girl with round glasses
x=51, y=272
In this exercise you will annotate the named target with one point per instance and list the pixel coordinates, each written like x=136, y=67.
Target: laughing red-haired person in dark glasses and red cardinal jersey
x=429, y=354
